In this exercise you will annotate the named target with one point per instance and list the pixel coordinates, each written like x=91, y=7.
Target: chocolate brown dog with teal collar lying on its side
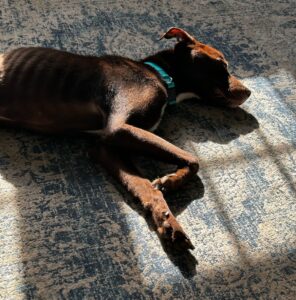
x=123, y=101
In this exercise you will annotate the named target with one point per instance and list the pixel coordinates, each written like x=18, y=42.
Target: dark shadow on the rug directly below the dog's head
x=201, y=123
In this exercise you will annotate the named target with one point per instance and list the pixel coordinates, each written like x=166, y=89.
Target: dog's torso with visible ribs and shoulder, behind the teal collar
x=52, y=91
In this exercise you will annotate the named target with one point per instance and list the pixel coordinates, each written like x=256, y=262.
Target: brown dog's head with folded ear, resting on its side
x=203, y=70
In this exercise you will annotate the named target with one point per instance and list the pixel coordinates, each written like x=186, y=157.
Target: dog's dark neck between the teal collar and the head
x=166, y=59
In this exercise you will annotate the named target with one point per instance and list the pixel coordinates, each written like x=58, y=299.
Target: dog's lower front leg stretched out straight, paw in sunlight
x=121, y=167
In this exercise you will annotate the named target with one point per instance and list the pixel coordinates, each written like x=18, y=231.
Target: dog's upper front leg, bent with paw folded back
x=135, y=139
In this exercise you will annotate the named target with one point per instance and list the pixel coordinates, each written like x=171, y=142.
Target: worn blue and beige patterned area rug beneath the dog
x=68, y=231
